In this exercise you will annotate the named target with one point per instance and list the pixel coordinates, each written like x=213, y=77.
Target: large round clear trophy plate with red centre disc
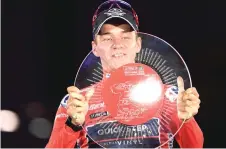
x=134, y=106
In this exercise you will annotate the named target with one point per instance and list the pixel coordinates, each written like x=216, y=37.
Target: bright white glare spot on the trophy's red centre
x=147, y=91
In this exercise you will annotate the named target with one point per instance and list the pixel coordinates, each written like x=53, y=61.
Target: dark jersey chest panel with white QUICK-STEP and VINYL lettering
x=114, y=134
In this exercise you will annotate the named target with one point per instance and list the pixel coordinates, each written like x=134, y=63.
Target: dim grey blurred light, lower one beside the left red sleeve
x=40, y=128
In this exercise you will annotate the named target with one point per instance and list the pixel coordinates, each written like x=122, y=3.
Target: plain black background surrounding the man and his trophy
x=44, y=43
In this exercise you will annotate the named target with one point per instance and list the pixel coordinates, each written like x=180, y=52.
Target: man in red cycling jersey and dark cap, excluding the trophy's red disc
x=115, y=27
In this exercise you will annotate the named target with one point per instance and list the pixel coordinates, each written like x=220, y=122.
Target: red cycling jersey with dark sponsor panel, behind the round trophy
x=62, y=136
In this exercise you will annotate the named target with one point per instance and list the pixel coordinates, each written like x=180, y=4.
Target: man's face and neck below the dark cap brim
x=116, y=46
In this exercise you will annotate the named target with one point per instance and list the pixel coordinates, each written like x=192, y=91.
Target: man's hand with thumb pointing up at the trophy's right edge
x=188, y=101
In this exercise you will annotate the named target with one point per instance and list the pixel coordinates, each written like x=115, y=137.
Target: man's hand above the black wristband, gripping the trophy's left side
x=77, y=104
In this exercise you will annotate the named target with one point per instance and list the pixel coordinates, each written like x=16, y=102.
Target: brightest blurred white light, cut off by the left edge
x=9, y=121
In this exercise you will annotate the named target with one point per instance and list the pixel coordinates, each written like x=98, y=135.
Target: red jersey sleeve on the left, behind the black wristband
x=62, y=136
